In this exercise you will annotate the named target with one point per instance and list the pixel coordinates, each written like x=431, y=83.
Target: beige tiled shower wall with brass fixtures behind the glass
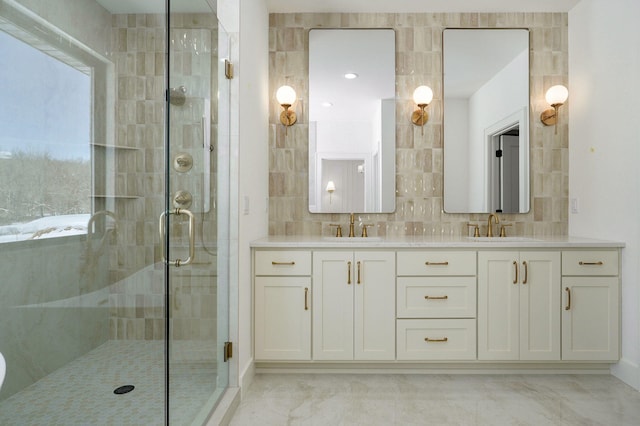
x=137, y=296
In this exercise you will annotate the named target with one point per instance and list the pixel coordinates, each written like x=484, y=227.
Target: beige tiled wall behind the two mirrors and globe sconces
x=419, y=158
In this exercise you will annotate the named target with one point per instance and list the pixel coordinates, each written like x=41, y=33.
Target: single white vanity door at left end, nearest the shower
x=283, y=318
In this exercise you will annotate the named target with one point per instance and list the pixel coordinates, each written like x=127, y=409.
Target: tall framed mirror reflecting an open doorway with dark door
x=486, y=120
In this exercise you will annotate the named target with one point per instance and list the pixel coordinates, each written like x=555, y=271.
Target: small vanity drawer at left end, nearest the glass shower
x=283, y=262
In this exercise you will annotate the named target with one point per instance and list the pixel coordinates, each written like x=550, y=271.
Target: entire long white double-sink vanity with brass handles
x=324, y=302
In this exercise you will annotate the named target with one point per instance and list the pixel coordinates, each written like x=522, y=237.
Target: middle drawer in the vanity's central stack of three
x=436, y=297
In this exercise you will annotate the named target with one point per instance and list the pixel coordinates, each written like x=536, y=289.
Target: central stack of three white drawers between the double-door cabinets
x=436, y=305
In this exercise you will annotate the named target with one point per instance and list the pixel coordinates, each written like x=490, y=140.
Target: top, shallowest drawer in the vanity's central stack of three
x=436, y=263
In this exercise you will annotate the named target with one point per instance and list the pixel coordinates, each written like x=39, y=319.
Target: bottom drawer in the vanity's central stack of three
x=436, y=339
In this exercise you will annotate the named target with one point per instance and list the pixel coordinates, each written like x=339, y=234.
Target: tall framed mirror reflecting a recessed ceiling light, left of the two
x=352, y=121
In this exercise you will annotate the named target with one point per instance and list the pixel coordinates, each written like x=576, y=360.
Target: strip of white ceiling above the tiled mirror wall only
x=415, y=6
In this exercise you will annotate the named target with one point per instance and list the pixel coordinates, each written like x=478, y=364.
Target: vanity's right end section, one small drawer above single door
x=591, y=301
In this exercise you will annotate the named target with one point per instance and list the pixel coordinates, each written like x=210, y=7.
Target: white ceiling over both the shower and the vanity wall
x=371, y=6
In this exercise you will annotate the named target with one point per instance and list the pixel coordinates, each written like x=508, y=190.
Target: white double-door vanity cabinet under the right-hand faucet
x=519, y=305
